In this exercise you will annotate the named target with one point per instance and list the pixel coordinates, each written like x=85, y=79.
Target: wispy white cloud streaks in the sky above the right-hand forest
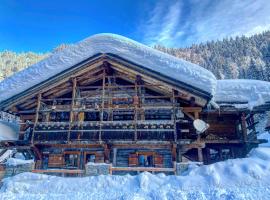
x=181, y=23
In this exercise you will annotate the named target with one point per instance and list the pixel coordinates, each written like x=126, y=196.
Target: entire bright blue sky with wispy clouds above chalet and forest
x=41, y=25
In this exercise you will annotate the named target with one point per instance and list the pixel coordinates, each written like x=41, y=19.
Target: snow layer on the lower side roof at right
x=244, y=92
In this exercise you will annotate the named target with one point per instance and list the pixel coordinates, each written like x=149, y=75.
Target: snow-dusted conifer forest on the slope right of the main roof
x=240, y=57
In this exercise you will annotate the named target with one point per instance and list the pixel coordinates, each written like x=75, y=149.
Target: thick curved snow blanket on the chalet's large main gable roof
x=128, y=49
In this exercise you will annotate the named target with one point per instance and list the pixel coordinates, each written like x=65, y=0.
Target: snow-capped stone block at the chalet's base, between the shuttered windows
x=95, y=169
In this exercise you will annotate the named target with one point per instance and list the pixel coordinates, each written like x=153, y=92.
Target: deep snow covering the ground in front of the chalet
x=247, y=178
